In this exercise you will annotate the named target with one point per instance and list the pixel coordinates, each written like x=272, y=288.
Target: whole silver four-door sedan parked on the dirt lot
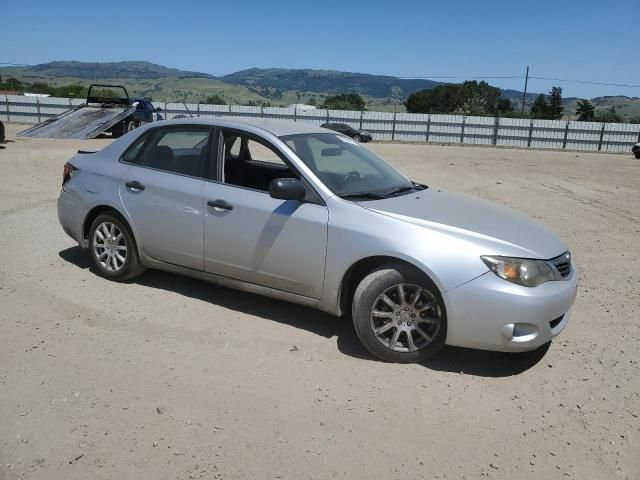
x=308, y=215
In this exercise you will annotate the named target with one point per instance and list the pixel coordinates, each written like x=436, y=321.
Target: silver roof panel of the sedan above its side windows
x=279, y=128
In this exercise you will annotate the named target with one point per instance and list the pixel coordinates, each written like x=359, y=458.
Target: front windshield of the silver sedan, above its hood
x=347, y=168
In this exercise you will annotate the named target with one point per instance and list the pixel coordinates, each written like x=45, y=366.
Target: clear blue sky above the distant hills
x=583, y=40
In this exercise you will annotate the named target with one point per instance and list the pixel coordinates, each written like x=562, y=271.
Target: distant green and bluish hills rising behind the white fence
x=269, y=86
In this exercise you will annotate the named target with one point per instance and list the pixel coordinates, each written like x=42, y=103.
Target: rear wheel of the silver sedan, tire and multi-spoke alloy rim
x=113, y=250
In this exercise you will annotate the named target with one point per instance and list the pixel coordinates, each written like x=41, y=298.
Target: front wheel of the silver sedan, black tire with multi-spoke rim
x=399, y=314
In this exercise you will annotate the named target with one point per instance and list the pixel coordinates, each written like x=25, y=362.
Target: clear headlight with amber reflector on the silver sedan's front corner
x=522, y=271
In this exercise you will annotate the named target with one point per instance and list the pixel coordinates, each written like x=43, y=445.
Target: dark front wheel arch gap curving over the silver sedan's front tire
x=360, y=269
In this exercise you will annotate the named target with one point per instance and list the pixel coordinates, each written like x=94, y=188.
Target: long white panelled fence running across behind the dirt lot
x=384, y=126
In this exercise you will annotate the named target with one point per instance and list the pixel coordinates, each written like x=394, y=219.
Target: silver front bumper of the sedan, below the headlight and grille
x=490, y=313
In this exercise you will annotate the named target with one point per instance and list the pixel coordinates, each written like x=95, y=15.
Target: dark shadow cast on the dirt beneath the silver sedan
x=449, y=359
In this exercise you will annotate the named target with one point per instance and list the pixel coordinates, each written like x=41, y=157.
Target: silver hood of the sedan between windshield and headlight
x=507, y=231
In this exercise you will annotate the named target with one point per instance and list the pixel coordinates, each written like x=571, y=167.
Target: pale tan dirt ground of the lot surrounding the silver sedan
x=172, y=378
